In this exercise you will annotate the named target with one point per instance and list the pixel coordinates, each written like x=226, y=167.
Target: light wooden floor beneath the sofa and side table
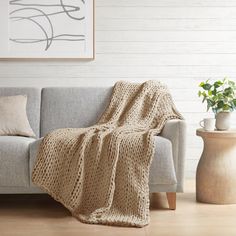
x=30, y=215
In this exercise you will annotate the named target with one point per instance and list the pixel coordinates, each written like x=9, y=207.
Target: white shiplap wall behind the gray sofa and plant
x=179, y=42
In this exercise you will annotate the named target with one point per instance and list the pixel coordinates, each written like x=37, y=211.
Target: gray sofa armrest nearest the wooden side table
x=175, y=131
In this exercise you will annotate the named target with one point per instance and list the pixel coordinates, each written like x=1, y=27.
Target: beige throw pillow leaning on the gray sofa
x=13, y=116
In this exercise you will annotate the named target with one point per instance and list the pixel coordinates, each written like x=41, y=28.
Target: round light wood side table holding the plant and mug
x=216, y=171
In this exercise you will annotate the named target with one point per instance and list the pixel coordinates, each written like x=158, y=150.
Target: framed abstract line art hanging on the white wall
x=47, y=29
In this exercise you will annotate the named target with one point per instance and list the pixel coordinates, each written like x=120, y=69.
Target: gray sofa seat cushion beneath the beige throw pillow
x=14, y=161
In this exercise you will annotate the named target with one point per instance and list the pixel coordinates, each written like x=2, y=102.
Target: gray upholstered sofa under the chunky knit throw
x=52, y=108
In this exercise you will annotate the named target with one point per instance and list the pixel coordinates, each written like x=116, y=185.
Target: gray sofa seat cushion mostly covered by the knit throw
x=162, y=171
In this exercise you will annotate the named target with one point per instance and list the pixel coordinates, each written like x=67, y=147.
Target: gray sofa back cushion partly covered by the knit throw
x=75, y=107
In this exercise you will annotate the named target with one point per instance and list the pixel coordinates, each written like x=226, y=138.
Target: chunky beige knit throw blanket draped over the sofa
x=101, y=173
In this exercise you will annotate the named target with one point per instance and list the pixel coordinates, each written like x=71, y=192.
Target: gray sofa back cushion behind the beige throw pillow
x=33, y=103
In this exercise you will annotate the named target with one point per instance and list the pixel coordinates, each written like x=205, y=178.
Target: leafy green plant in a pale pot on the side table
x=220, y=96
